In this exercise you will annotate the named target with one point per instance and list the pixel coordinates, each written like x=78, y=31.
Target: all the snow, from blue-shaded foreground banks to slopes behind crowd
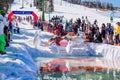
x=22, y=58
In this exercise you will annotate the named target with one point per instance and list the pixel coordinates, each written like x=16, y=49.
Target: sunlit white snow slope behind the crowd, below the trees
x=74, y=11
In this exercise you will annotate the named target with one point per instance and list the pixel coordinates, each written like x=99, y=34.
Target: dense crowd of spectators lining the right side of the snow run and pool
x=105, y=33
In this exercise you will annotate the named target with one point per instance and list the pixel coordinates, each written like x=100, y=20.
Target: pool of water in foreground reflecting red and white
x=78, y=69
